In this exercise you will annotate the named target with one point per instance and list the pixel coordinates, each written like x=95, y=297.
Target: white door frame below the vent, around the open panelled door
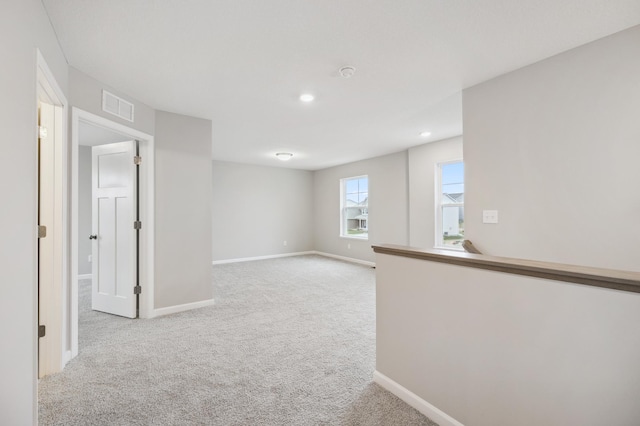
x=147, y=213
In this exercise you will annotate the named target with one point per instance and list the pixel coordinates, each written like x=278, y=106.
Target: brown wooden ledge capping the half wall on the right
x=597, y=277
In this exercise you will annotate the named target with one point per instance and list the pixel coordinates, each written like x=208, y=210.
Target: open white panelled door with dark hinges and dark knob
x=114, y=236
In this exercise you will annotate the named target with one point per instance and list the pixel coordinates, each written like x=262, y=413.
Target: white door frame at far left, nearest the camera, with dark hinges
x=47, y=87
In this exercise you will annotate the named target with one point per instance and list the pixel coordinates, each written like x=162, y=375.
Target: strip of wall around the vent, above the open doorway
x=86, y=94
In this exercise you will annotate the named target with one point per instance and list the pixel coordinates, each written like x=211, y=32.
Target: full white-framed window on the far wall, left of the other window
x=354, y=207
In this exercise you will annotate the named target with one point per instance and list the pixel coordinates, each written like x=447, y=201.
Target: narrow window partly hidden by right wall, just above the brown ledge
x=450, y=205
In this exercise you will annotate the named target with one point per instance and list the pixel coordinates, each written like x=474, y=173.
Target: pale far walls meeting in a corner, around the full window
x=256, y=209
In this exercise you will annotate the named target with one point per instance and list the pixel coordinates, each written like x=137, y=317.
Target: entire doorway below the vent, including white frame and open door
x=102, y=151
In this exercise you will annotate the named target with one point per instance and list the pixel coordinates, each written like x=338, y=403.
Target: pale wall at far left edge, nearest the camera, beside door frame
x=24, y=26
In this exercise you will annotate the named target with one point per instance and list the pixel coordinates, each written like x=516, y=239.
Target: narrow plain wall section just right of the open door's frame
x=182, y=210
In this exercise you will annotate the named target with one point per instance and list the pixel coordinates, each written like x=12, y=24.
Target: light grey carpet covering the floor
x=289, y=341
